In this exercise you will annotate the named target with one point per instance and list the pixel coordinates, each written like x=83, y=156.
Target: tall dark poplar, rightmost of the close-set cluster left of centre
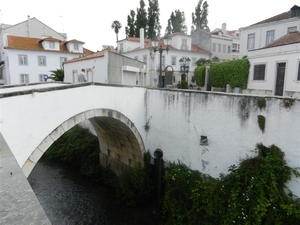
x=154, y=26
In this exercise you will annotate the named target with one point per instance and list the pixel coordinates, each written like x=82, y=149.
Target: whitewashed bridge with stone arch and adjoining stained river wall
x=207, y=131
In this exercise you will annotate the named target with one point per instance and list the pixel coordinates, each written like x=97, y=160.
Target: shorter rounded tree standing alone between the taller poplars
x=176, y=23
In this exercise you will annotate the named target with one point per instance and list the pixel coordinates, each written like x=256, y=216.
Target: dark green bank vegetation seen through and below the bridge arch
x=79, y=148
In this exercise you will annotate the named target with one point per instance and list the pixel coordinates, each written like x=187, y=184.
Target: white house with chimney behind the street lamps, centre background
x=180, y=47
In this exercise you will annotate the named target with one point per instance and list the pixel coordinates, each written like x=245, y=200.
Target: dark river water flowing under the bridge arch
x=69, y=198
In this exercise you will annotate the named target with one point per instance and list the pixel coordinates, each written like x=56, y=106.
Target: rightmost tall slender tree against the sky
x=199, y=17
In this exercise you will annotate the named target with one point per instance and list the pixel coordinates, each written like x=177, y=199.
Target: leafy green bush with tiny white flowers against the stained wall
x=253, y=193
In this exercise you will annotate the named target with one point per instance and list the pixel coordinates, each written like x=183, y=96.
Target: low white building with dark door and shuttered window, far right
x=275, y=69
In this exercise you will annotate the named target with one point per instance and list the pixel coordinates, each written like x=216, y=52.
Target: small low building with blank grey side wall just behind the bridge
x=108, y=67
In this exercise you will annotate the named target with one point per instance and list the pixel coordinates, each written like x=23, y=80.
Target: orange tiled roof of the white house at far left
x=34, y=44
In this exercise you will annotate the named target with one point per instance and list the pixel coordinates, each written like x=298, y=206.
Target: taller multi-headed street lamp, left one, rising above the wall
x=157, y=47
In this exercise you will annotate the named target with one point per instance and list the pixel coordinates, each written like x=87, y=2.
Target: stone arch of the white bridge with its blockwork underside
x=121, y=145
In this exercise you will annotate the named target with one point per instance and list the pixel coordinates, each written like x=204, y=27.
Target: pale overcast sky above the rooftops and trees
x=90, y=20
